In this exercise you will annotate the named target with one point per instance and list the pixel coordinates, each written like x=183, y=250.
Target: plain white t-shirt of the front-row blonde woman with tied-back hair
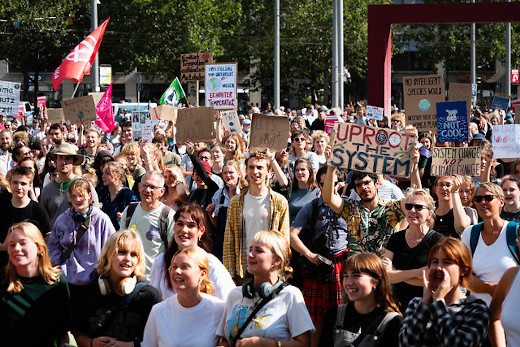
x=171, y=324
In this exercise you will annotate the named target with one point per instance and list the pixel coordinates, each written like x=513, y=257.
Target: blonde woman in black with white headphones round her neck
x=115, y=306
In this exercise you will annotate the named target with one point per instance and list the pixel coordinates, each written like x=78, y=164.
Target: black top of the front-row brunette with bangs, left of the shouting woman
x=366, y=323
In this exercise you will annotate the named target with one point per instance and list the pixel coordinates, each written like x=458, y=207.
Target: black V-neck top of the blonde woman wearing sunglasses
x=406, y=258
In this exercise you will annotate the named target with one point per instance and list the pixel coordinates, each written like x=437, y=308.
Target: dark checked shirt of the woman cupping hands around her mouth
x=463, y=323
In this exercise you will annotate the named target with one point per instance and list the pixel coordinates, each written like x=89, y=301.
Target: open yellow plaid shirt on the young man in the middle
x=235, y=249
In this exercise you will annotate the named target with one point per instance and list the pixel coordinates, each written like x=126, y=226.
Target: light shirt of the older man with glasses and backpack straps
x=147, y=225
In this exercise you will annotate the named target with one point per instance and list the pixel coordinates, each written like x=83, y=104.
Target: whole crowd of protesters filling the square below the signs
x=105, y=241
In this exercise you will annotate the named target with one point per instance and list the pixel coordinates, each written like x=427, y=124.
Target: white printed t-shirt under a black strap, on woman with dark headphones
x=282, y=318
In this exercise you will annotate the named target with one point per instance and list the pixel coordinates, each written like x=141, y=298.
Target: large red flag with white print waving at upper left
x=79, y=61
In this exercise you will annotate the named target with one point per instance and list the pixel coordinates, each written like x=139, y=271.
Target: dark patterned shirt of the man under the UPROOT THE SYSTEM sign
x=370, y=230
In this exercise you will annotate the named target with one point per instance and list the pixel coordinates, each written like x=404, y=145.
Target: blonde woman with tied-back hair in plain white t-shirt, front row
x=172, y=321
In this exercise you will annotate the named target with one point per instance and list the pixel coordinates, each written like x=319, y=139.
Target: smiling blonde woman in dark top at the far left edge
x=34, y=300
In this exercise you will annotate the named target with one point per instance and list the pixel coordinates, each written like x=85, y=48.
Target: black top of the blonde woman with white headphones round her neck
x=125, y=324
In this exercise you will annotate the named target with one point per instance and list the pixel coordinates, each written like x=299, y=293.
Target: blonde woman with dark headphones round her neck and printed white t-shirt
x=284, y=316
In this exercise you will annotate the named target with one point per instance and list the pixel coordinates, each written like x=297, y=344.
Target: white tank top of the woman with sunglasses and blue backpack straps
x=489, y=262
